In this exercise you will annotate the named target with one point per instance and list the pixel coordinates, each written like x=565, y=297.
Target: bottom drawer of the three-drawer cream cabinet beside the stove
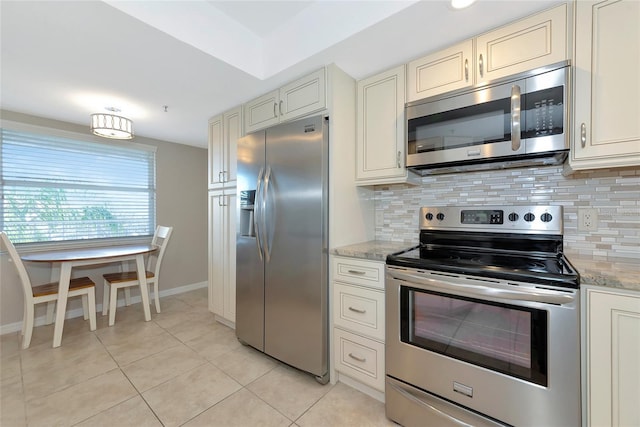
x=359, y=358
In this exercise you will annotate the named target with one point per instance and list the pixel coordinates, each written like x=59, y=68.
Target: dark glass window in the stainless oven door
x=501, y=337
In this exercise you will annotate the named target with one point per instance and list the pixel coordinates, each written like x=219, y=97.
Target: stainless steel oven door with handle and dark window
x=509, y=351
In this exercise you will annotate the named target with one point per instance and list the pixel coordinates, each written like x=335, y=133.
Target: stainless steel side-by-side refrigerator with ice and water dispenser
x=282, y=239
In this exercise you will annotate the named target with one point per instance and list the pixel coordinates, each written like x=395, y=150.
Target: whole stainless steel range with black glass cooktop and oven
x=483, y=321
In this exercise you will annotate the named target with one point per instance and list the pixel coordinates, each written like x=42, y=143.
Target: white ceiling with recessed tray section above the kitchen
x=64, y=60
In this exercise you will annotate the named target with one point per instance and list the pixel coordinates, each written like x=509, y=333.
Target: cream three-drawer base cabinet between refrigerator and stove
x=358, y=323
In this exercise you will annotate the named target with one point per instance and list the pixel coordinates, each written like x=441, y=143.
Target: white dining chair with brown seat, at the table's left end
x=48, y=293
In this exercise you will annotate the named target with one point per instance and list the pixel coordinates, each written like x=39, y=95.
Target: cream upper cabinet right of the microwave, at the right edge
x=606, y=127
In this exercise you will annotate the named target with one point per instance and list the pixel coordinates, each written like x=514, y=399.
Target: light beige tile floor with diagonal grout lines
x=180, y=369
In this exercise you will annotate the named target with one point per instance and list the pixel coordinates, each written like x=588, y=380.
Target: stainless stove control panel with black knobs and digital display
x=514, y=219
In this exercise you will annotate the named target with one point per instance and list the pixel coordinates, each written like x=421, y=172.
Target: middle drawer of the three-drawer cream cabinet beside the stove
x=359, y=309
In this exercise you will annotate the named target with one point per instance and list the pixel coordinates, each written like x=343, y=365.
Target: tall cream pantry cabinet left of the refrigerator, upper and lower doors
x=224, y=131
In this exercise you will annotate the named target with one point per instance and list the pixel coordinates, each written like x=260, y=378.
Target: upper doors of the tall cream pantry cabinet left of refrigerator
x=224, y=132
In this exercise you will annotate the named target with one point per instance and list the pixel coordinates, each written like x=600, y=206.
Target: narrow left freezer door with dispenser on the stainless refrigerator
x=249, y=260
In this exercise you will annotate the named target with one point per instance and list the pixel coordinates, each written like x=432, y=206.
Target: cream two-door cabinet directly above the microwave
x=529, y=43
